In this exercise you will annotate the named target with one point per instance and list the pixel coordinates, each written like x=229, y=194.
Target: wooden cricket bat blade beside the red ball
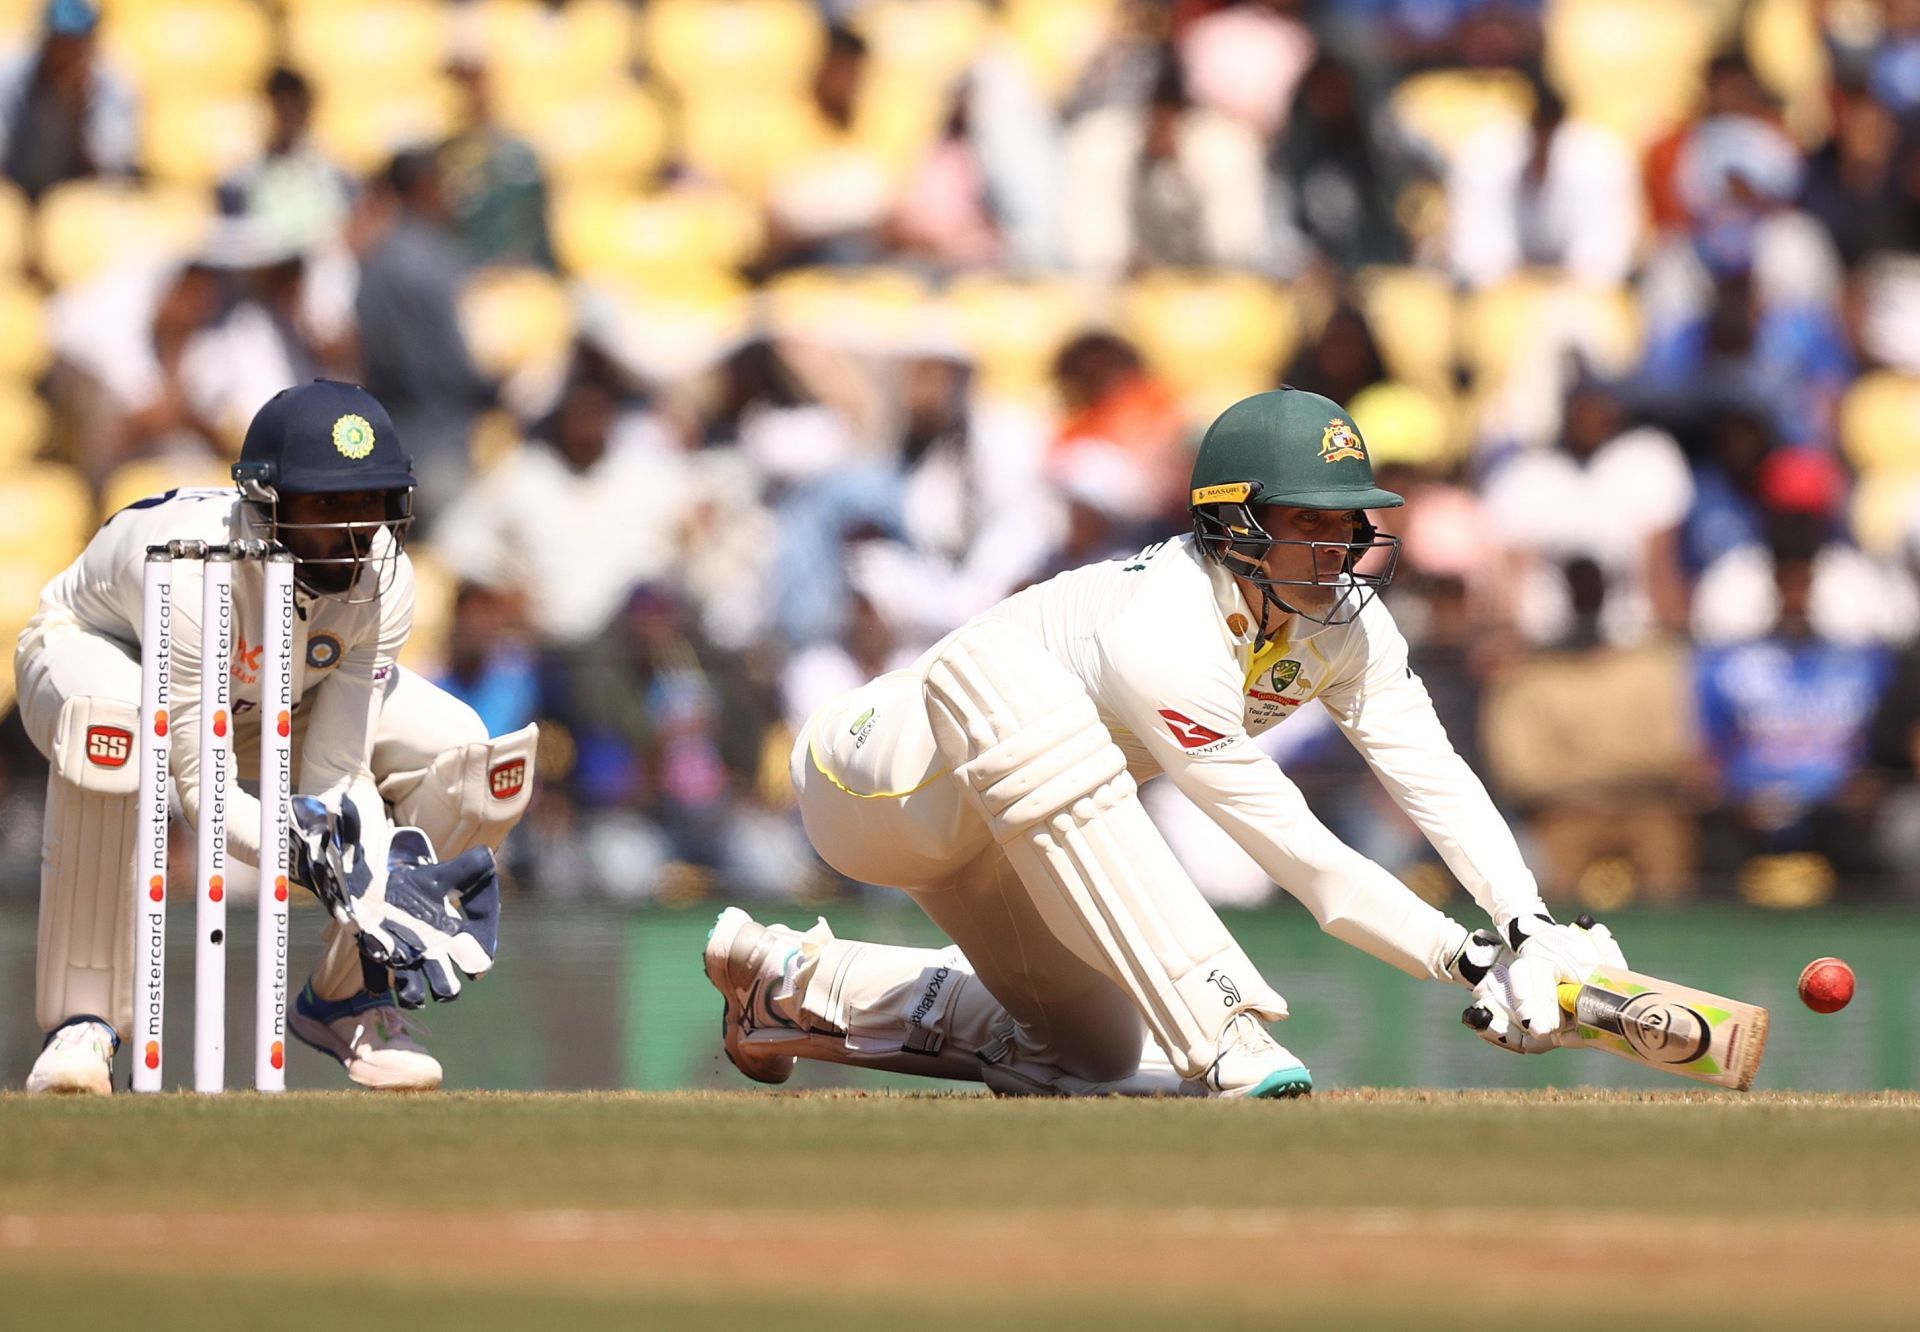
x=1668, y=1026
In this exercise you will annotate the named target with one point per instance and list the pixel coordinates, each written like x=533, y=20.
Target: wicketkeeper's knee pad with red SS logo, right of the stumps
x=471, y=796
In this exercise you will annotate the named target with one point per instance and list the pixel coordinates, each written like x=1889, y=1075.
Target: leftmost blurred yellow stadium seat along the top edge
x=191, y=45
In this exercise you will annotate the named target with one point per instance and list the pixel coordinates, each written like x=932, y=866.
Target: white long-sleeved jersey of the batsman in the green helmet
x=1164, y=644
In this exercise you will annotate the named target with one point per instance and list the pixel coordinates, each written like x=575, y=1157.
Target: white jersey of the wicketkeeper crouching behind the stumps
x=343, y=654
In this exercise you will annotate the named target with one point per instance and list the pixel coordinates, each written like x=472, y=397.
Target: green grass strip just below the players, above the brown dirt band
x=1677, y=1154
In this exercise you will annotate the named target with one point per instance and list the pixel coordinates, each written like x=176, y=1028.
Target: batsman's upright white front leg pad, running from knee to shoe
x=1030, y=751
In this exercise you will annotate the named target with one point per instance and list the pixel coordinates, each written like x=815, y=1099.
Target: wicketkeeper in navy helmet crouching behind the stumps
x=375, y=746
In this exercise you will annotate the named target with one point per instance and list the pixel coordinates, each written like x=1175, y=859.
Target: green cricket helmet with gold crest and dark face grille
x=1297, y=450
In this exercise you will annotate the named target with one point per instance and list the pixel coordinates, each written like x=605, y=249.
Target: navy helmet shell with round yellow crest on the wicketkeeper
x=320, y=439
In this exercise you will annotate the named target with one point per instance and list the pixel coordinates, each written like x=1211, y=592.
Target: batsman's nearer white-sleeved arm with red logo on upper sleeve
x=1241, y=790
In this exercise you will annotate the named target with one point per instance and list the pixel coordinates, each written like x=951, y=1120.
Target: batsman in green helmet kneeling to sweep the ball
x=996, y=782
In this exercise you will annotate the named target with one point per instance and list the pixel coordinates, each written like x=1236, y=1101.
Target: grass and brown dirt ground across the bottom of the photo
x=957, y=1212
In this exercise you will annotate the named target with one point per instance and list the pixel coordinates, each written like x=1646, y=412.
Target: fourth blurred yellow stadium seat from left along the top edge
x=727, y=47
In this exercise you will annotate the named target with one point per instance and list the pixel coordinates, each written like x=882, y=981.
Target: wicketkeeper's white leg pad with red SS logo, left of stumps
x=85, y=961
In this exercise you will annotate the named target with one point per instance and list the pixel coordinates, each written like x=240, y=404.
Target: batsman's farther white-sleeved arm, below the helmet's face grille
x=1387, y=715
